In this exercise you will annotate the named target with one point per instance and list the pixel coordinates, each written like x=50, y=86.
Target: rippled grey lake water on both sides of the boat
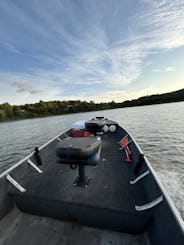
x=159, y=130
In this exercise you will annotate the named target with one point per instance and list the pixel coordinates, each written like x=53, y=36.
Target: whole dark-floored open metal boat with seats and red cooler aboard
x=89, y=185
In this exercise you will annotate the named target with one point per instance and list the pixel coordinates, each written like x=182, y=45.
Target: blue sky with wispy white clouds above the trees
x=99, y=50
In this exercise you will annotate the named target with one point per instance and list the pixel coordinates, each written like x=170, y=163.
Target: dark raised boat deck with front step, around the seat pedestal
x=108, y=202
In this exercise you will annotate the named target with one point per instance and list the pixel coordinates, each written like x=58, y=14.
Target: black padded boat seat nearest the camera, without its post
x=79, y=151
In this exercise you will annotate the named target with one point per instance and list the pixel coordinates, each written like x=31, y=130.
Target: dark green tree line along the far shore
x=51, y=108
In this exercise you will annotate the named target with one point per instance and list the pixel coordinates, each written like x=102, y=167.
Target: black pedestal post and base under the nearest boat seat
x=81, y=180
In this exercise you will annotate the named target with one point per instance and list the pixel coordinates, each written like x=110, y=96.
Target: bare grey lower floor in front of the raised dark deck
x=29, y=229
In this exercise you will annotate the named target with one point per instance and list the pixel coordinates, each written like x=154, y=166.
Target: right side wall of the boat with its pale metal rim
x=167, y=226
